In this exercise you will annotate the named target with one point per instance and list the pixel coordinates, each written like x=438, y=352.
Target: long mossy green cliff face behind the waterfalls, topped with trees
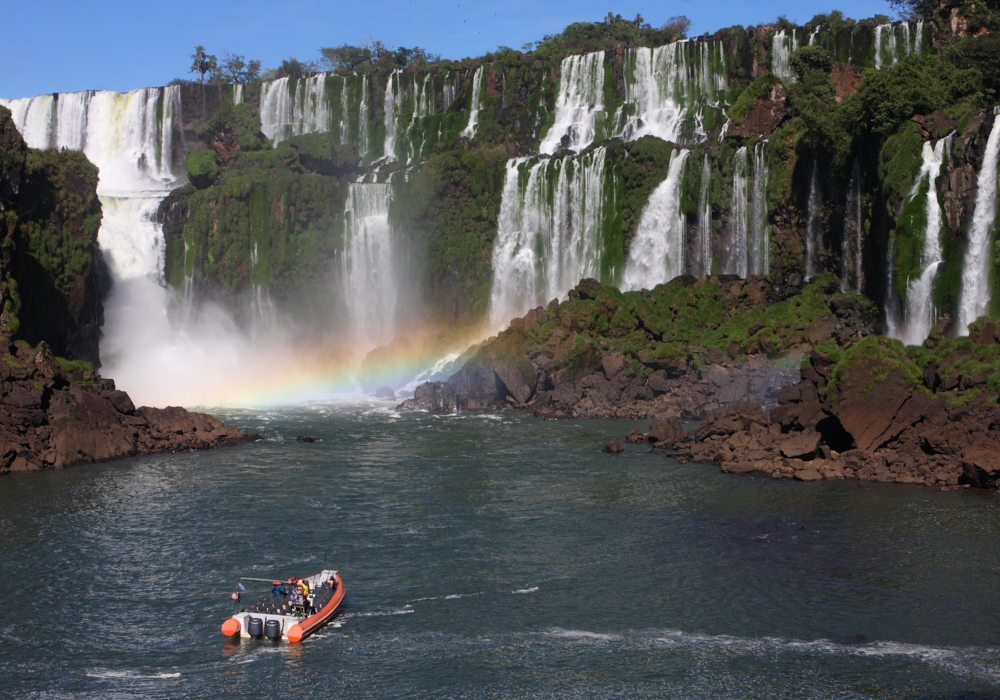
x=826, y=147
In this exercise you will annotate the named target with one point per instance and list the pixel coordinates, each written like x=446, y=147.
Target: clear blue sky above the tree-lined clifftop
x=62, y=46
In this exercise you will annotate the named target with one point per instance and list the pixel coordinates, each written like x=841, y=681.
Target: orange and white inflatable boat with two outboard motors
x=294, y=610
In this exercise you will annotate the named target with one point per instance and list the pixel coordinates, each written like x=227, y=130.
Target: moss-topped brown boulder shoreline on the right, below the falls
x=807, y=397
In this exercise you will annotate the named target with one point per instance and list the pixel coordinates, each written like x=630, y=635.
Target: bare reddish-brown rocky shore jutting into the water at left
x=53, y=417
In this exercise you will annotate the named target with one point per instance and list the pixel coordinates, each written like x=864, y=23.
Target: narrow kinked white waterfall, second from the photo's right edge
x=920, y=313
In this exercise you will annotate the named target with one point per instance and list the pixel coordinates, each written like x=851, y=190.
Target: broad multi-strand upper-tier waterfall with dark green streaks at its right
x=667, y=89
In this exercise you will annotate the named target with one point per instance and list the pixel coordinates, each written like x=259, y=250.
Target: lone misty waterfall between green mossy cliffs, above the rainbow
x=369, y=277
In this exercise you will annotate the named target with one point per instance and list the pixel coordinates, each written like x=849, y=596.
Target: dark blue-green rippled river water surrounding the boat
x=491, y=556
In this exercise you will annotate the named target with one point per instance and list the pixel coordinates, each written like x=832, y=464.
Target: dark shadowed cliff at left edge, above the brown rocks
x=53, y=274
